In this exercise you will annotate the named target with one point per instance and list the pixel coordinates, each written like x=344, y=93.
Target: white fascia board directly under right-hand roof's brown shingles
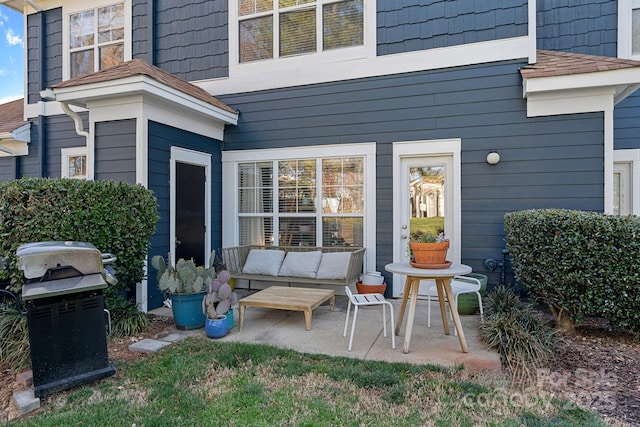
x=623, y=77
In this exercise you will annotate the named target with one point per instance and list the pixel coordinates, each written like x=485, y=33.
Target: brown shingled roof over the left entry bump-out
x=138, y=67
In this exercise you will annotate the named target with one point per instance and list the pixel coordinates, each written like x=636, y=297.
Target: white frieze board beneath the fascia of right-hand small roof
x=570, y=101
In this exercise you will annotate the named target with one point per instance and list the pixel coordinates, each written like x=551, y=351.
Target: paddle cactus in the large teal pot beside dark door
x=186, y=285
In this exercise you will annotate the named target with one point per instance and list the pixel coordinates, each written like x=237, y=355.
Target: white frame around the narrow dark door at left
x=183, y=155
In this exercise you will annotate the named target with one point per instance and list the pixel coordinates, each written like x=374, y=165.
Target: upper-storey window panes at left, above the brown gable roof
x=97, y=39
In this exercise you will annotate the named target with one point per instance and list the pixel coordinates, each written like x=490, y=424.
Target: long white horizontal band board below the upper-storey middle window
x=298, y=71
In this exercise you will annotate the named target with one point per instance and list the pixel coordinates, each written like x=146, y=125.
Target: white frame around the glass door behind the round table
x=405, y=150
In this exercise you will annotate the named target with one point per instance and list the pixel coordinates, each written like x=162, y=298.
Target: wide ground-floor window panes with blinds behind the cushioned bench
x=302, y=202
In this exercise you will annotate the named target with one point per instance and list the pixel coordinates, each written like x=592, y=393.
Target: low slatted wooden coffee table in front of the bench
x=289, y=298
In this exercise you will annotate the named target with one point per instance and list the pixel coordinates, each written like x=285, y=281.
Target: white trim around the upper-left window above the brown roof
x=79, y=6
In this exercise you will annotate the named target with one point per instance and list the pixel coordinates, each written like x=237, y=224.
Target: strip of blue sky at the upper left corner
x=11, y=55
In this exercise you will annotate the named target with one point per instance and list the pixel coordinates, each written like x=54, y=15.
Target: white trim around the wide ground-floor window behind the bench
x=231, y=159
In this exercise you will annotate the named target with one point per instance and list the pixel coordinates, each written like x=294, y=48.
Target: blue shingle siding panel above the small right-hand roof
x=587, y=26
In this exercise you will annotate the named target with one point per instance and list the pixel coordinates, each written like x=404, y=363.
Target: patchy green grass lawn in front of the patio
x=203, y=382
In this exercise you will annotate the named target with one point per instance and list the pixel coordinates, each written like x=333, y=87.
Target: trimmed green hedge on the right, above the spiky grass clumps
x=578, y=263
